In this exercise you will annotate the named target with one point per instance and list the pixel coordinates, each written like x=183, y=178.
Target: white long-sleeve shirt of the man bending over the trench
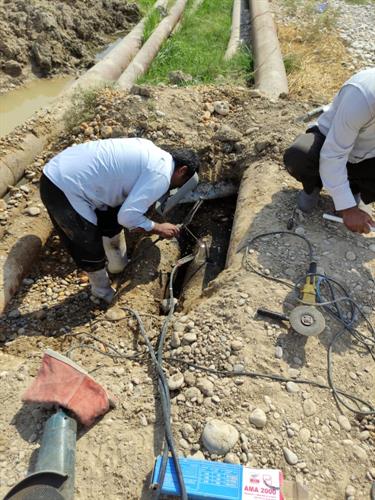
x=133, y=173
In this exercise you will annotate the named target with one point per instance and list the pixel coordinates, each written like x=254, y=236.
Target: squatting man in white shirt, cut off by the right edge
x=339, y=153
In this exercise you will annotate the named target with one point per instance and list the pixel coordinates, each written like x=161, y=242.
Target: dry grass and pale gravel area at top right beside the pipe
x=323, y=43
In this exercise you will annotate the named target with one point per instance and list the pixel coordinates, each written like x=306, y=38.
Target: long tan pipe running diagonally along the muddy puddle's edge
x=14, y=164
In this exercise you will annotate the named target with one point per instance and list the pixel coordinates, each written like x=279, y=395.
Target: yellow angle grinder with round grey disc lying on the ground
x=305, y=319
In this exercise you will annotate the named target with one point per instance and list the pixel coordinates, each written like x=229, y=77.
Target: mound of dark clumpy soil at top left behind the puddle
x=49, y=38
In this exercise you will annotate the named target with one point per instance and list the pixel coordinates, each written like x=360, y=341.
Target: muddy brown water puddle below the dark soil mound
x=18, y=105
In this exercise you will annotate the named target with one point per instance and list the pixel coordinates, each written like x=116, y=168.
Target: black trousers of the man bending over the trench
x=81, y=238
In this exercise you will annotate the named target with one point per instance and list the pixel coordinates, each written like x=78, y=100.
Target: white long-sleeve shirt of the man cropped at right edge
x=349, y=127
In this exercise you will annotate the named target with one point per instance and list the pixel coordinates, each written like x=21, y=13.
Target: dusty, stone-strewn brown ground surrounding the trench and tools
x=221, y=331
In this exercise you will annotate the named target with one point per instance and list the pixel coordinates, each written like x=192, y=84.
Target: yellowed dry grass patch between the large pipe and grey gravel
x=315, y=62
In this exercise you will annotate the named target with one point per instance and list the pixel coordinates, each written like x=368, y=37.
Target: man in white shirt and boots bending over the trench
x=93, y=190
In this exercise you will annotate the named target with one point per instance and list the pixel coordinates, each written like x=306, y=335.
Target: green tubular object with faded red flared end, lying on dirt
x=61, y=382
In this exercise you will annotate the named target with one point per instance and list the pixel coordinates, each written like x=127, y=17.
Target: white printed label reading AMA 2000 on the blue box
x=261, y=484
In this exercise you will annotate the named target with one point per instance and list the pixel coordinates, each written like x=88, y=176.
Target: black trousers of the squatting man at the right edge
x=301, y=160
